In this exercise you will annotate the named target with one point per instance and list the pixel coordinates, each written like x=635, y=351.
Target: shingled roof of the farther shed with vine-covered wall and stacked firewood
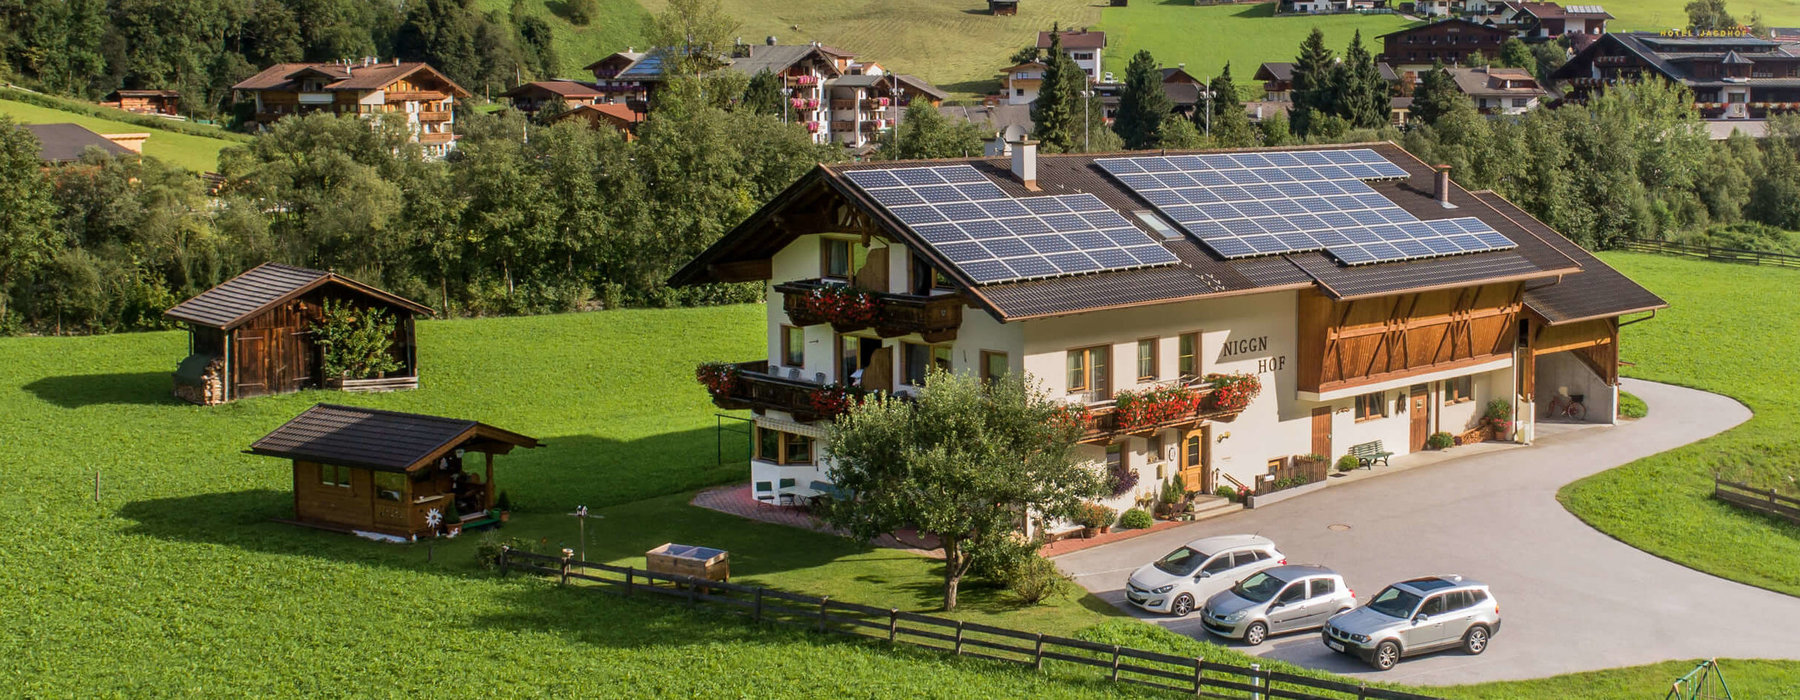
x=242, y=298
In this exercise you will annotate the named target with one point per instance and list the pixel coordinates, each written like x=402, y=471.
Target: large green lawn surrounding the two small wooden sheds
x=177, y=579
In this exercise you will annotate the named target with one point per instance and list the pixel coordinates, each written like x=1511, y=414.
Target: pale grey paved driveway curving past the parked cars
x=1574, y=600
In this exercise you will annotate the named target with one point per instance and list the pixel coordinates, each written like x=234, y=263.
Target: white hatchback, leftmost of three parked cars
x=1198, y=571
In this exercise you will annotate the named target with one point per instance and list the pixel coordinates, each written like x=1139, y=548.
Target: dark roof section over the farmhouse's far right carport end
x=1594, y=292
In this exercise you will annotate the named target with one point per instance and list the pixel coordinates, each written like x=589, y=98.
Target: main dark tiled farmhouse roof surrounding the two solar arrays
x=1200, y=274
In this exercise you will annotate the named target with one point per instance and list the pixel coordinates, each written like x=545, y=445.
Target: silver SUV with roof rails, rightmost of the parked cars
x=1417, y=616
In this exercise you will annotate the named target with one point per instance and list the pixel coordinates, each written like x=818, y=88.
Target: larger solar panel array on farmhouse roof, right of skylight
x=1261, y=204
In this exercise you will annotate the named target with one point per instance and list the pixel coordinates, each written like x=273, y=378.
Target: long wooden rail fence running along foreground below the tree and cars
x=1189, y=676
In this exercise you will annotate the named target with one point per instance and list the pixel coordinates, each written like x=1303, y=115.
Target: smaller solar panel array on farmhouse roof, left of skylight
x=998, y=238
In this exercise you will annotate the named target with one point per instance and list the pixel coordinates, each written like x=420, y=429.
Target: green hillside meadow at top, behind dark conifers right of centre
x=1248, y=37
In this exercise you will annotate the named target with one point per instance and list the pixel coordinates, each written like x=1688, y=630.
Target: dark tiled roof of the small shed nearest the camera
x=379, y=440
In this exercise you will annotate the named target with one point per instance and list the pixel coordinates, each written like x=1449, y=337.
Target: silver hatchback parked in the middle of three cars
x=1275, y=602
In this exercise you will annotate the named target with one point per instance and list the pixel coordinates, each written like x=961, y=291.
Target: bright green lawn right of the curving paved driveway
x=1711, y=339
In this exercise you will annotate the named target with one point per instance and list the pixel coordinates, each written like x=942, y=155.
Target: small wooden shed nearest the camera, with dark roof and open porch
x=366, y=471
